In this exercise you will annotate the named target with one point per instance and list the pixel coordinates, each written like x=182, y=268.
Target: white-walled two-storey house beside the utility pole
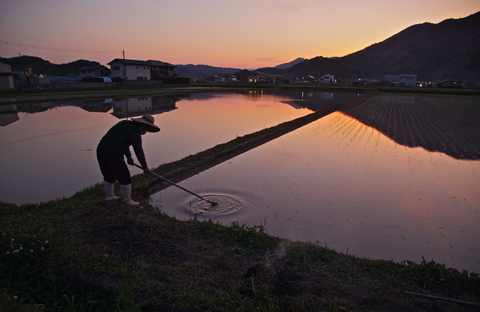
x=130, y=69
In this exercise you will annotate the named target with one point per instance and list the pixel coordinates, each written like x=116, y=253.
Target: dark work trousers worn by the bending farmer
x=113, y=167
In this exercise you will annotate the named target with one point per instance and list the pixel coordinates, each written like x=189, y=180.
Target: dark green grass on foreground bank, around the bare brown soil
x=43, y=269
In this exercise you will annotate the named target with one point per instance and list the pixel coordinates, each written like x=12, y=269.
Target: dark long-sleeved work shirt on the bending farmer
x=120, y=137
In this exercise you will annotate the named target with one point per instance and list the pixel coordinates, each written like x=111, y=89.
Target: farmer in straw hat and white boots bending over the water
x=112, y=148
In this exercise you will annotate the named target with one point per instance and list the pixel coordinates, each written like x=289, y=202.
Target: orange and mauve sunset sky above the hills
x=223, y=33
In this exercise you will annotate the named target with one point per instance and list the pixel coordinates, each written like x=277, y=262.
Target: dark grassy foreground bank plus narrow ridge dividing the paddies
x=82, y=254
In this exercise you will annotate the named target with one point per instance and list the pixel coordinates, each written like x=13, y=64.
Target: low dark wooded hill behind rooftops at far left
x=40, y=66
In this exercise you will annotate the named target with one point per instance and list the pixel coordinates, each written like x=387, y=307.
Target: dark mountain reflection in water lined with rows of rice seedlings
x=439, y=124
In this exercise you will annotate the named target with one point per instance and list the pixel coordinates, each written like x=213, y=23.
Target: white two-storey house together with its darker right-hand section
x=141, y=70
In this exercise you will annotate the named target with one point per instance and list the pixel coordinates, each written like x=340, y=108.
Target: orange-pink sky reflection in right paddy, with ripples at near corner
x=346, y=185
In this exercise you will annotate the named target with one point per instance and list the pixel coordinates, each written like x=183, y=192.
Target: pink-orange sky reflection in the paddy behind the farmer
x=52, y=153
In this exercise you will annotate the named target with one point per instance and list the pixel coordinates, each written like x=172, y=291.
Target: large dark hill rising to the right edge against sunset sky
x=435, y=52
